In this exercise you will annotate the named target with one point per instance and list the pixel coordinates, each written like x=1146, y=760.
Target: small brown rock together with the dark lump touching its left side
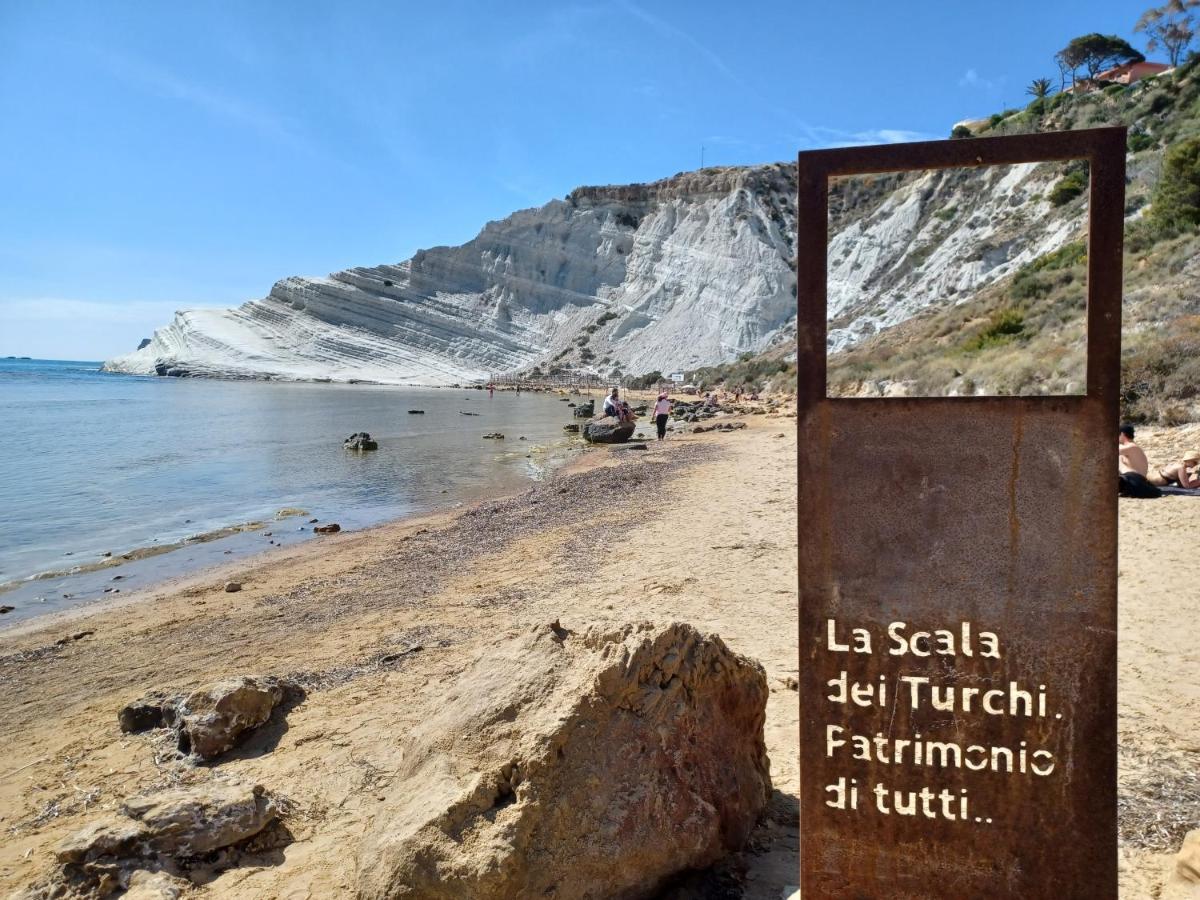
x=213, y=719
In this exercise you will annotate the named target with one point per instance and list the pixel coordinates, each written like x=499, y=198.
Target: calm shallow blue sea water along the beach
x=112, y=483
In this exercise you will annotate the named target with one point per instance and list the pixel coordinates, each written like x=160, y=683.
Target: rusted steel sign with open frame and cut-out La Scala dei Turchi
x=997, y=512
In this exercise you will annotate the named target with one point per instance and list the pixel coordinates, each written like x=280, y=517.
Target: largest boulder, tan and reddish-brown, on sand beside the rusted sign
x=577, y=766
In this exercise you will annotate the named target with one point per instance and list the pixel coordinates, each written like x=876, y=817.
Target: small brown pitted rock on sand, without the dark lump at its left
x=211, y=721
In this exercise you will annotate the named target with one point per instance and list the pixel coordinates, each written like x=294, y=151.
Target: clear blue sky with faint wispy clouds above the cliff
x=158, y=157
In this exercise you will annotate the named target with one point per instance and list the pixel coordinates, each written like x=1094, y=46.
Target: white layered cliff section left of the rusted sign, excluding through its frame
x=687, y=272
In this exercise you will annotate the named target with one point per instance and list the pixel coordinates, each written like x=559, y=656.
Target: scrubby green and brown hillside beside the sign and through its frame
x=1027, y=333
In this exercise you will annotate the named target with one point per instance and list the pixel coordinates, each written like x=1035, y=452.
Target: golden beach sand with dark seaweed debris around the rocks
x=701, y=529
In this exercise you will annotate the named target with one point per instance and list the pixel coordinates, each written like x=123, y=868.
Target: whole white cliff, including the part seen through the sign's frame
x=687, y=272
